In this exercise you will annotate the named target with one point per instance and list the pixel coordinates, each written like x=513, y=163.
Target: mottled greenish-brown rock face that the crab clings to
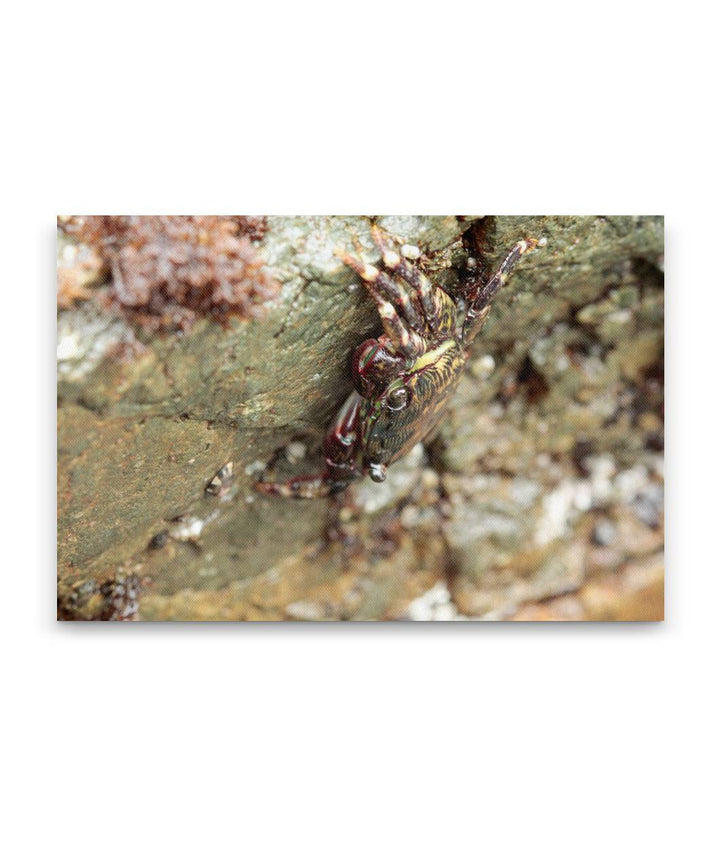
x=556, y=428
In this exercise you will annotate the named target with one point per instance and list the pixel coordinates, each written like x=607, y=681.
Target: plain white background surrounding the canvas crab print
x=359, y=739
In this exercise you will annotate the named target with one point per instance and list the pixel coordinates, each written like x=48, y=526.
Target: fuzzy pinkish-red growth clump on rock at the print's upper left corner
x=166, y=271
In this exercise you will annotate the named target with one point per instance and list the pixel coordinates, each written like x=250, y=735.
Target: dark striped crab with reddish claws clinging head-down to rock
x=403, y=379
